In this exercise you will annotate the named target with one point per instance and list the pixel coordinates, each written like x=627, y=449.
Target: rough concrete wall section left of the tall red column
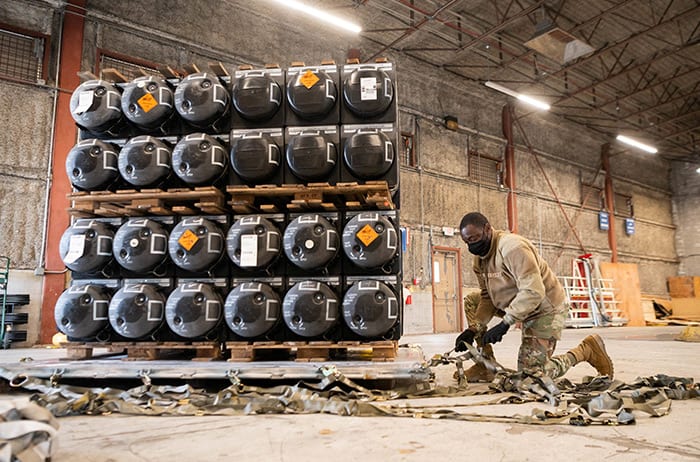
x=25, y=146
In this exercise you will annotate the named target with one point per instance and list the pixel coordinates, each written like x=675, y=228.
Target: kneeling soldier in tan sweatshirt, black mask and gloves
x=518, y=286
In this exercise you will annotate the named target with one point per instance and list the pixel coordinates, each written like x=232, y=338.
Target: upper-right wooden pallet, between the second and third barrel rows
x=314, y=196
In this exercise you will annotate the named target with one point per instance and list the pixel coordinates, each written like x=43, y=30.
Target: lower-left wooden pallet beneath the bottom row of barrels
x=203, y=351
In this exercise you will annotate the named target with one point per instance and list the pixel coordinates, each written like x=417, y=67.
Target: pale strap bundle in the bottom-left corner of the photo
x=27, y=432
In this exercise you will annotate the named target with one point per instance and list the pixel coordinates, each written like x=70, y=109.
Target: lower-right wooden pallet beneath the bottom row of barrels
x=384, y=350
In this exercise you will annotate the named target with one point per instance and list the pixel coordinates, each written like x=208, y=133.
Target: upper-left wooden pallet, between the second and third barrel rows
x=206, y=200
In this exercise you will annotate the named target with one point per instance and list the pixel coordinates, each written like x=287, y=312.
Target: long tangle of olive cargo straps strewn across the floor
x=596, y=400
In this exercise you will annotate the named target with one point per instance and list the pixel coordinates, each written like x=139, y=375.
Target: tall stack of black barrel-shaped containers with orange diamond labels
x=292, y=275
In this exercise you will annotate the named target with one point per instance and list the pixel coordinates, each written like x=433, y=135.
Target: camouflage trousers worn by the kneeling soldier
x=539, y=340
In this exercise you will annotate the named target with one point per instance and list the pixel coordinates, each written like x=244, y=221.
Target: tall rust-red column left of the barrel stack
x=65, y=135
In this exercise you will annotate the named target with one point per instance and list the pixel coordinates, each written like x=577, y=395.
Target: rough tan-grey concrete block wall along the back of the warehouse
x=434, y=194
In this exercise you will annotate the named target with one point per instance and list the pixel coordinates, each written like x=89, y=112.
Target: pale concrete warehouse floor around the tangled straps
x=635, y=351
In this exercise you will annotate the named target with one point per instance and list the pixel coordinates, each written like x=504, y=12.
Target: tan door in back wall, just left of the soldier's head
x=447, y=289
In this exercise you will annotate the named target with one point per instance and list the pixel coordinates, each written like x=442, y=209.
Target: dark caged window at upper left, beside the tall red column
x=22, y=56
